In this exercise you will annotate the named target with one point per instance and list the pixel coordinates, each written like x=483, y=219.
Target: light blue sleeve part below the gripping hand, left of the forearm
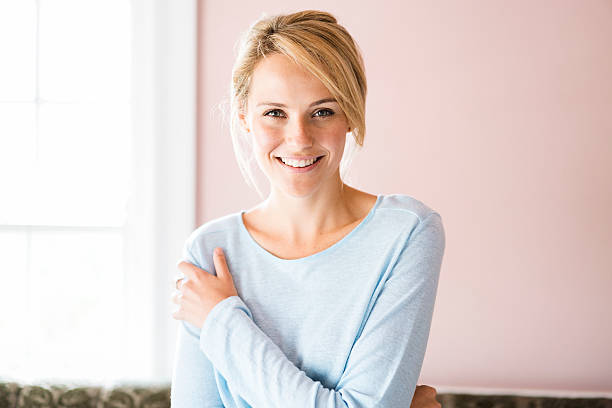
x=193, y=379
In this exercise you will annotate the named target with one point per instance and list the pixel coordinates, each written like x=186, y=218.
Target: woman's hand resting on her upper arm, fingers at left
x=201, y=291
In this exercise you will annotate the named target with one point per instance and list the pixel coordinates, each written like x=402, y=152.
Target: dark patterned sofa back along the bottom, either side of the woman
x=14, y=395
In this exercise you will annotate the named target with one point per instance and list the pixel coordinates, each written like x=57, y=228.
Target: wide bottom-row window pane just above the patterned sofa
x=76, y=295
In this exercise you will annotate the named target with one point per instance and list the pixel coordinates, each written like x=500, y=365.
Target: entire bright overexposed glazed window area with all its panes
x=64, y=177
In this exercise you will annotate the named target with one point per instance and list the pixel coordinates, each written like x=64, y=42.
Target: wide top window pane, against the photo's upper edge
x=84, y=50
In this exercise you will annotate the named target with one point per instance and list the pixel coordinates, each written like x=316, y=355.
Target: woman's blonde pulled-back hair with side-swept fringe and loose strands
x=314, y=40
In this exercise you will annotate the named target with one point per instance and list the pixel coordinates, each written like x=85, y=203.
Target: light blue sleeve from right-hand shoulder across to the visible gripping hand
x=384, y=364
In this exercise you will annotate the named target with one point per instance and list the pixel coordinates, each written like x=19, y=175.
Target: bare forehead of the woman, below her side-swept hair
x=277, y=78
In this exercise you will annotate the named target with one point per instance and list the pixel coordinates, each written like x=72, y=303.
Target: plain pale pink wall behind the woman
x=498, y=115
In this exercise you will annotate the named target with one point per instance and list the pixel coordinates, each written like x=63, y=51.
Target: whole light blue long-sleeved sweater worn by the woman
x=345, y=327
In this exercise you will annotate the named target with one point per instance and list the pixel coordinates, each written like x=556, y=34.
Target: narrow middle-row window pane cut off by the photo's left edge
x=17, y=160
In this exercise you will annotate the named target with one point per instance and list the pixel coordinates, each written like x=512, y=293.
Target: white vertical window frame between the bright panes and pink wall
x=161, y=210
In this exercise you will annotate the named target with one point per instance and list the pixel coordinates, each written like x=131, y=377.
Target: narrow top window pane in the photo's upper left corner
x=18, y=50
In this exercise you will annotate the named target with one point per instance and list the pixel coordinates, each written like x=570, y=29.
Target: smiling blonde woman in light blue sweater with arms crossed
x=331, y=290
